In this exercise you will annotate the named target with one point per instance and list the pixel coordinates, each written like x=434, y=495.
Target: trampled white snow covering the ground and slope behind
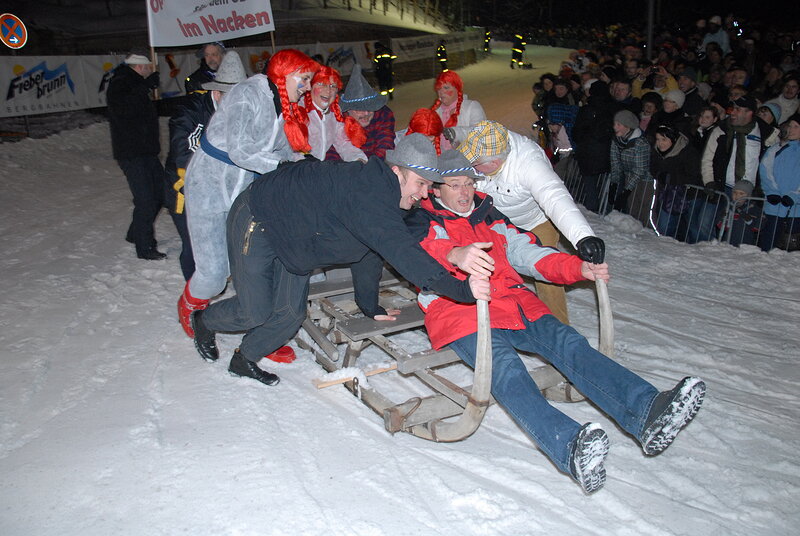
x=111, y=424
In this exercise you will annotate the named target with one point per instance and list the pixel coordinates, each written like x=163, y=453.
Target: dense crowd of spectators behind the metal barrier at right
x=669, y=136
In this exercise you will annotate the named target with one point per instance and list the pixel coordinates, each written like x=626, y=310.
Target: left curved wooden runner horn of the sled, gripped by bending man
x=479, y=399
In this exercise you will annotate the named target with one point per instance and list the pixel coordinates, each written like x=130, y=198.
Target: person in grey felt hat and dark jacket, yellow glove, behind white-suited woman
x=186, y=127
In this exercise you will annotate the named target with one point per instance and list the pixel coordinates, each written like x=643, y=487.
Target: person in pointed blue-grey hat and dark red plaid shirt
x=368, y=107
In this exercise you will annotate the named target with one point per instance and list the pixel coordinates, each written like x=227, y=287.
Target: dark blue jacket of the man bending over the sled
x=320, y=214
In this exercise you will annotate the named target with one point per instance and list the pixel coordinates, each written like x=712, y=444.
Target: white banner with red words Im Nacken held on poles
x=192, y=22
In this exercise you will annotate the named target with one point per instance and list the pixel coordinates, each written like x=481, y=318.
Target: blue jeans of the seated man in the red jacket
x=621, y=394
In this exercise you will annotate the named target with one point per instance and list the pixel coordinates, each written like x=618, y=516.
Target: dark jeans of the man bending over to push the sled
x=270, y=302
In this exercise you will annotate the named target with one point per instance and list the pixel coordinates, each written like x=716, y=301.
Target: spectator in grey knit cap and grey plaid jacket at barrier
x=630, y=167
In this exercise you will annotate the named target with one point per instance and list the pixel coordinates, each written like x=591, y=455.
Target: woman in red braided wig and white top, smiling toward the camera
x=326, y=125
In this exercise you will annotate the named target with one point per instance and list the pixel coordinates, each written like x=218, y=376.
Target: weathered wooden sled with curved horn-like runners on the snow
x=330, y=325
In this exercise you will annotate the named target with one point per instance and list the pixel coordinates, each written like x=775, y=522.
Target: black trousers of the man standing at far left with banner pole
x=145, y=177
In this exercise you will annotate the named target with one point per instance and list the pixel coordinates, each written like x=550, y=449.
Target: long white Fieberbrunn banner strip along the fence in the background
x=45, y=84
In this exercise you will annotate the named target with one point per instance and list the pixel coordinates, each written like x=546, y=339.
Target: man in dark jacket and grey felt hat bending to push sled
x=308, y=215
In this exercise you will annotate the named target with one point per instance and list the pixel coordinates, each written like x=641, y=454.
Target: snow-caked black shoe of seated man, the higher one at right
x=670, y=412
